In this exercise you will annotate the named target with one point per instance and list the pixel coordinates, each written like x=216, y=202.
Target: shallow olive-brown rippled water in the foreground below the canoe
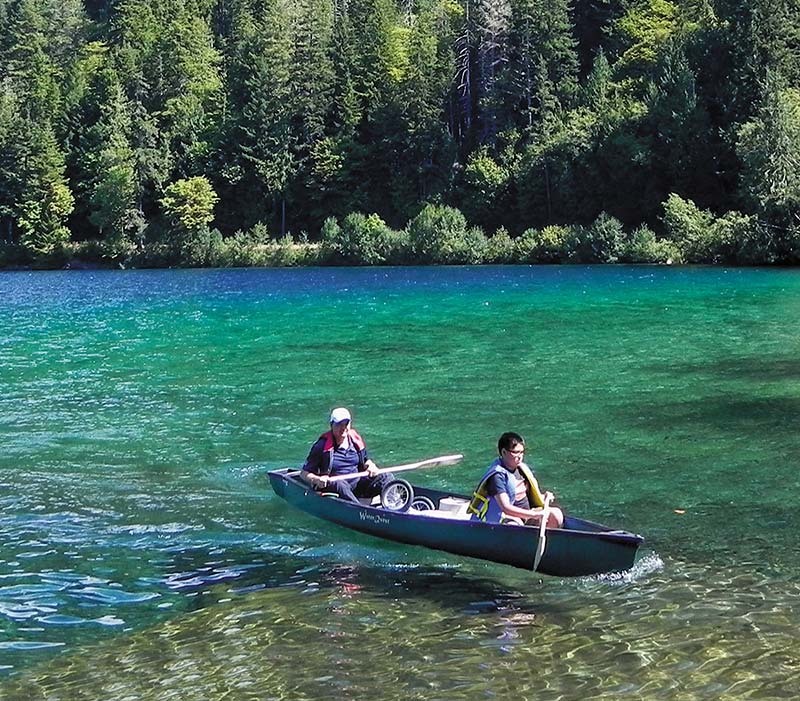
x=353, y=632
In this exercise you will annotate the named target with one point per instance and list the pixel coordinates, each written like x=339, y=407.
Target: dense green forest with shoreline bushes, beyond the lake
x=156, y=133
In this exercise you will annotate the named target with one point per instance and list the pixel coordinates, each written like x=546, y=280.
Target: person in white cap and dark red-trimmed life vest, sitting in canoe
x=341, y=451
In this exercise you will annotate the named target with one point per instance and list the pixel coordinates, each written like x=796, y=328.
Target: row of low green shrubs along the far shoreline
x=441, y=235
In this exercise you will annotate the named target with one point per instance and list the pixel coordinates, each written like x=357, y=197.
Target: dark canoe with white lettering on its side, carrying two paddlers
x=580, y=548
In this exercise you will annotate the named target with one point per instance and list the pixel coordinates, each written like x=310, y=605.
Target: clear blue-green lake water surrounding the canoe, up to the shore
x=144, y=556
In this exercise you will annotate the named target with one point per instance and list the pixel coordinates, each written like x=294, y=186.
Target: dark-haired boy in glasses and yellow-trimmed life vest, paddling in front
x=509, y=489
